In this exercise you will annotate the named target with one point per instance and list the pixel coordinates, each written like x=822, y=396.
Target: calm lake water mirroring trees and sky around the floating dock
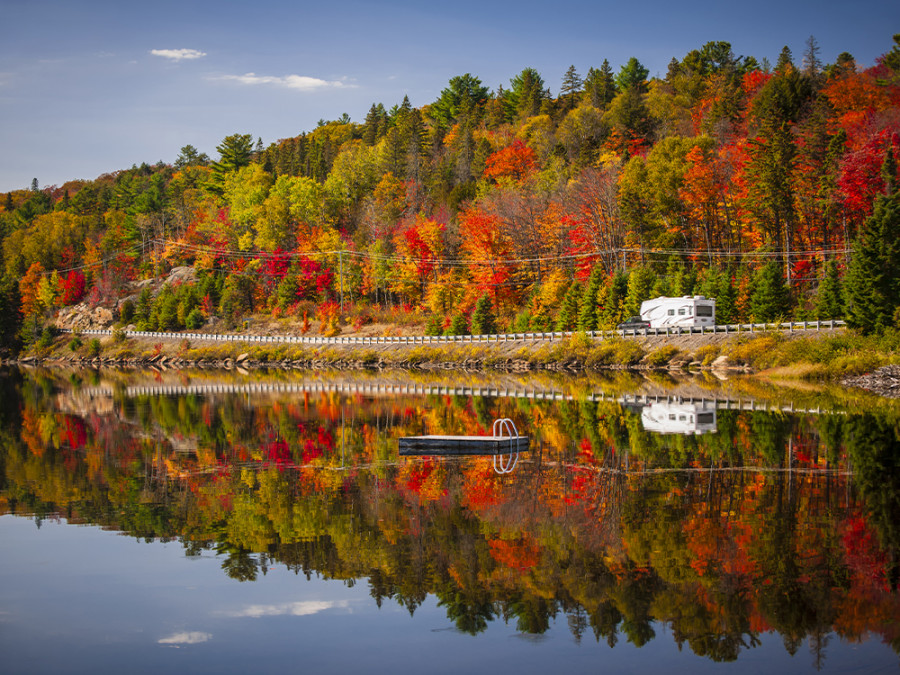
x=260, y=522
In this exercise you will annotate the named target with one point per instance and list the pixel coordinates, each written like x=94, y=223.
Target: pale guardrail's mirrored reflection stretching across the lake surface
x=422, y=390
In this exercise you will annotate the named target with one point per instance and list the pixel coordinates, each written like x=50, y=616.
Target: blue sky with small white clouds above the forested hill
x=88, y=87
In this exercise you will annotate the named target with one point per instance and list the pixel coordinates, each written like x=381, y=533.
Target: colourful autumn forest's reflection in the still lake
x=776, y=522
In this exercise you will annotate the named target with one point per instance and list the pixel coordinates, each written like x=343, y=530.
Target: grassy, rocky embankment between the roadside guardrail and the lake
x=824, y=356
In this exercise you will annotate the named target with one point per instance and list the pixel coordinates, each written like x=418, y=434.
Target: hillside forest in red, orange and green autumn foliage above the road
x=768, y=187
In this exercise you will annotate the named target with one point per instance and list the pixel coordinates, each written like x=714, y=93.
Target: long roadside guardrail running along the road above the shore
x=790, y=326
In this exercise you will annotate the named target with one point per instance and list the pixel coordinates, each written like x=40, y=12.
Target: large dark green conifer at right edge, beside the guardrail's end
x=873, y=277
